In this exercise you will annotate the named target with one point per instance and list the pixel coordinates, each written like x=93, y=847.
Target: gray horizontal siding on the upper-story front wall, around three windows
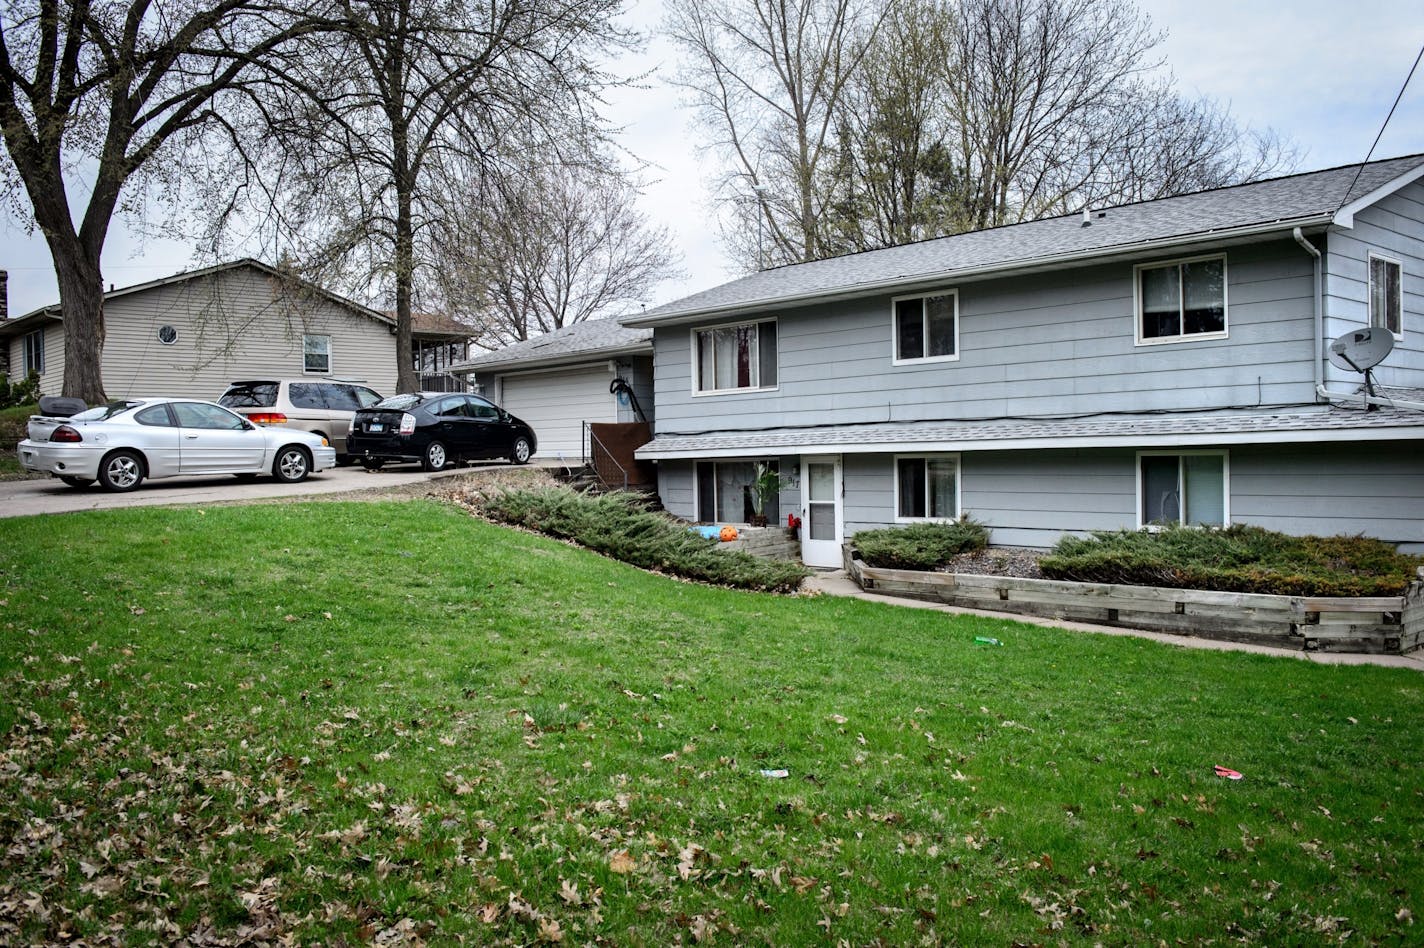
x=1035, y=345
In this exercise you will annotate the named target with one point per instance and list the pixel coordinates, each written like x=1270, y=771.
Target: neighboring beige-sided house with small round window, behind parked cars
x=193, y=334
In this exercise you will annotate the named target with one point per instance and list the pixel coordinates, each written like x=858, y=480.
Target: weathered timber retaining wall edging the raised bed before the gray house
x=1378, y=626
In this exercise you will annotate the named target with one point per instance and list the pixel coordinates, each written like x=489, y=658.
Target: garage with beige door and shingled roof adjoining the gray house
x=563, y=379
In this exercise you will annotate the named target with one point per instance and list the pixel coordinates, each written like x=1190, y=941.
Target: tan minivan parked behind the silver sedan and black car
x=321, y=406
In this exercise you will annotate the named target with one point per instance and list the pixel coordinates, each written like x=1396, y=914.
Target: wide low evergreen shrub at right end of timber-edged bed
x=1240, y=559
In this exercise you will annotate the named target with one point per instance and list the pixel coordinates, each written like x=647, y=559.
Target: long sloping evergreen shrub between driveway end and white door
x=616, y=526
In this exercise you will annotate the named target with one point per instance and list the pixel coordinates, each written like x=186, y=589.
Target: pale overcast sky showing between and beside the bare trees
x=1322, y=76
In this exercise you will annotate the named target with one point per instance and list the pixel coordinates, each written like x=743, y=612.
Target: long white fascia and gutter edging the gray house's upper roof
x=985, y=273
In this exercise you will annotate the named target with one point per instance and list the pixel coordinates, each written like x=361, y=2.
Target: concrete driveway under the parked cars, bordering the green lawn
x=51, y=496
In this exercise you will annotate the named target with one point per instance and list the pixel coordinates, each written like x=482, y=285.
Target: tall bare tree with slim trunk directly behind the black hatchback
x=404, y=99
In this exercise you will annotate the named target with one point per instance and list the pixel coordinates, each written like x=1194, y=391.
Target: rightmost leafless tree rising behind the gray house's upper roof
x=1063, y=103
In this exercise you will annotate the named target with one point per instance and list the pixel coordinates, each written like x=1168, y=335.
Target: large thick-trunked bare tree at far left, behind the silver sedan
x=98, y=100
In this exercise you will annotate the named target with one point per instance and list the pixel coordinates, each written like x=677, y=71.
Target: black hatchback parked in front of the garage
x=438, y=429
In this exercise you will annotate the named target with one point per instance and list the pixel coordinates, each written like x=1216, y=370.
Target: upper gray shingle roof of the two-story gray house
x=1295, y=199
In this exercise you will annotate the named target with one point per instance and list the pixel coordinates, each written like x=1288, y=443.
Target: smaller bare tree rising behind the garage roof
x=549, y=248
